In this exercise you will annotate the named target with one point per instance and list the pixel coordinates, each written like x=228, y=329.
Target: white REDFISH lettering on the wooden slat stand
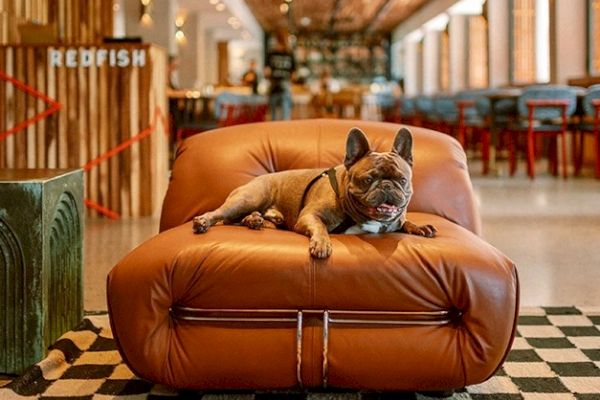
x=73, y=58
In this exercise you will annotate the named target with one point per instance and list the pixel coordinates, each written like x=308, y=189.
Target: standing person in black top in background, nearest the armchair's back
x=279, y=69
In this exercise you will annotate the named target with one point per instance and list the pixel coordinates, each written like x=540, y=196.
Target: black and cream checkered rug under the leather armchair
x=556, y=355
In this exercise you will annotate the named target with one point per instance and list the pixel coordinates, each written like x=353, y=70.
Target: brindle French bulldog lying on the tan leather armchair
x=368, y=193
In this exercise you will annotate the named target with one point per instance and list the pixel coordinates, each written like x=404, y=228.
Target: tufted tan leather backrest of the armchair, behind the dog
x=210, y=165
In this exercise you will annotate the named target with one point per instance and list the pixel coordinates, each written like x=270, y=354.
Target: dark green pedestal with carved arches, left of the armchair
x=41, y=285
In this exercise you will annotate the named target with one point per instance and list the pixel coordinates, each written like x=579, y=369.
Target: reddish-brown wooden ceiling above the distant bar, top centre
x=333, y=16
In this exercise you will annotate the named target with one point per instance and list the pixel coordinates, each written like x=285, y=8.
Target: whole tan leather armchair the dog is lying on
x=241, y=309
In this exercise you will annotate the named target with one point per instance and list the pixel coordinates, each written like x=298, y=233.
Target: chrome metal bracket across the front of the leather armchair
x=330, y=317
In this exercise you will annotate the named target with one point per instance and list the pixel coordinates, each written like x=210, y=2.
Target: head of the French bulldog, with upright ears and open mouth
x=379, y=184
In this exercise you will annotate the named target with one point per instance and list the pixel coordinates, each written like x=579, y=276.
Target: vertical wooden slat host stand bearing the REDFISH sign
x=101, y=108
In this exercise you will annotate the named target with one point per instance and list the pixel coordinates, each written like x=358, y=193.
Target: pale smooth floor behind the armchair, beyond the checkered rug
x=550, y=227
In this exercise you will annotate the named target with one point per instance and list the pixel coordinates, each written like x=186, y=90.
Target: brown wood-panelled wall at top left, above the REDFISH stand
x=74, y=21
